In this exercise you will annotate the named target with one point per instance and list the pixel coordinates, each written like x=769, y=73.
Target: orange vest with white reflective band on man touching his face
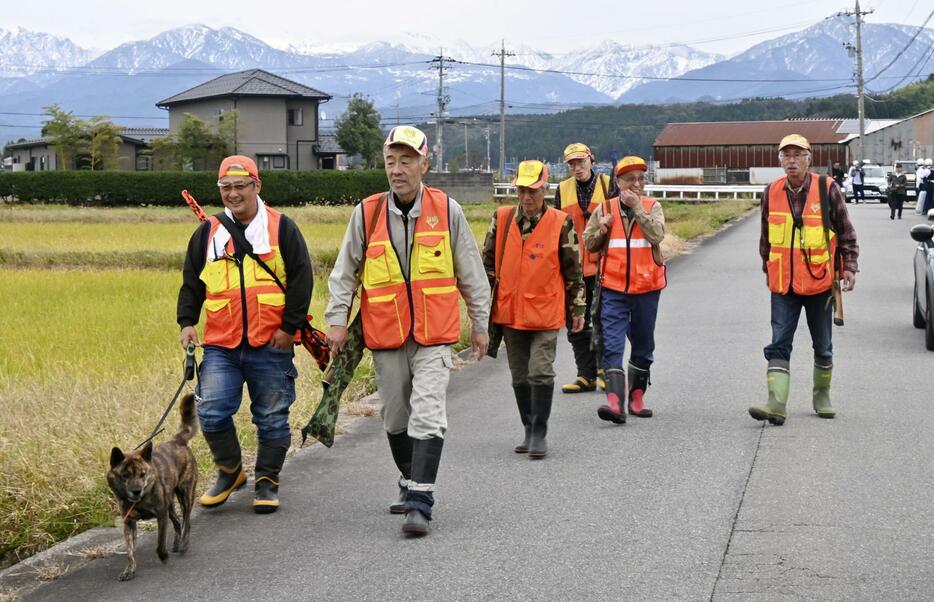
x=629, y=265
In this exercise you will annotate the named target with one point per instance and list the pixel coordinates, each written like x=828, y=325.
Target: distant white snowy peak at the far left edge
x=27, y=52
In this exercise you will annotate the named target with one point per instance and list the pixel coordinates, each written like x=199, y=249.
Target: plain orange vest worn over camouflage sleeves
x=530, y=293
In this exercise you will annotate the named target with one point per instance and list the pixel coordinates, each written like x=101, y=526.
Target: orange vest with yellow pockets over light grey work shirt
x=425, y=305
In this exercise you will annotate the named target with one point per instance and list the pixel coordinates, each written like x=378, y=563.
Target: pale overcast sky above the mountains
x=725, y=26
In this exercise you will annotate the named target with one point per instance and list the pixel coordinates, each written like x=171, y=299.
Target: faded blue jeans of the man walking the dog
x=269, y=375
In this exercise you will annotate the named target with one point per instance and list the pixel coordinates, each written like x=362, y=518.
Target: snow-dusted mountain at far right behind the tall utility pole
x=811, y=62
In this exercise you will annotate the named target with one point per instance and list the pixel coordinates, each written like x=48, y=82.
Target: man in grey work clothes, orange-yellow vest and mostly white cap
x=412, y=252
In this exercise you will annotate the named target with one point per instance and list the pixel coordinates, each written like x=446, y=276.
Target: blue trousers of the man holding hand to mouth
x=633, y=316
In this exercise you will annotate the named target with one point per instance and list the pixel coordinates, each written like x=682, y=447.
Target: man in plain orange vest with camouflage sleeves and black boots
x=532, y=253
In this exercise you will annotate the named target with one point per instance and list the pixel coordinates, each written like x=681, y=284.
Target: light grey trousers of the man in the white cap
x=412, y=383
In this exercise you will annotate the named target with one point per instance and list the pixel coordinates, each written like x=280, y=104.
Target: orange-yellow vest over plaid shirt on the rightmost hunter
x=799, y=259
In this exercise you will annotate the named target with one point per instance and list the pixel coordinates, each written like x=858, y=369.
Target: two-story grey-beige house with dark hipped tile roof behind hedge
x=278, y=118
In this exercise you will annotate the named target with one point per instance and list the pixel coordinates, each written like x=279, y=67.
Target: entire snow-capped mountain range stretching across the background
x=38, y=69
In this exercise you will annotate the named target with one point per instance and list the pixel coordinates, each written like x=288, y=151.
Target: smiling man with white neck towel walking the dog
x=249, y=328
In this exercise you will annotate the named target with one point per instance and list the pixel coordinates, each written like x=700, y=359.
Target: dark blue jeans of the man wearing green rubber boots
x=786, y=310
